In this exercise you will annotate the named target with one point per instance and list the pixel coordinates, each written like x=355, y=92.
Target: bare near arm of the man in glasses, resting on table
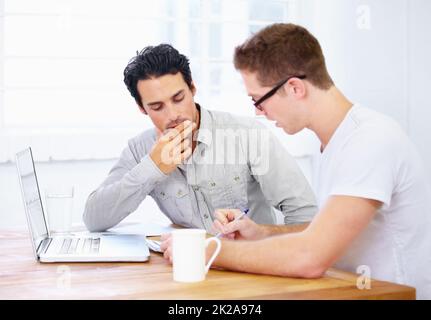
x=308, y=253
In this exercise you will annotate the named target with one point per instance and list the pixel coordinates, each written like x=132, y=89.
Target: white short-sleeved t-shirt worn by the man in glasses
x=369, y=156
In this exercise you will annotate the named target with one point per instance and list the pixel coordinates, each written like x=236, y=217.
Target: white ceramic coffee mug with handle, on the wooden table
x=188, y=254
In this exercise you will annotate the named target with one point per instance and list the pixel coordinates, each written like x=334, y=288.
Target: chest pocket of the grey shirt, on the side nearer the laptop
x=174, y=200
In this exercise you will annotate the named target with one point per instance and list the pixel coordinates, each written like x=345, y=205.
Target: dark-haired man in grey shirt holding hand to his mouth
x=195, y=160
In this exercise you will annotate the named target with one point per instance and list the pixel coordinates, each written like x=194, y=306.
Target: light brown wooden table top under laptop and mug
x=21, y=277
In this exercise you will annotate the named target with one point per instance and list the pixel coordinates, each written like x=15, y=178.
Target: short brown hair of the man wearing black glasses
x=281, y=50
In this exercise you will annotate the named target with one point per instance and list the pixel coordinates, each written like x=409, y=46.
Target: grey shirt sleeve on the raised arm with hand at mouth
x=126, y=186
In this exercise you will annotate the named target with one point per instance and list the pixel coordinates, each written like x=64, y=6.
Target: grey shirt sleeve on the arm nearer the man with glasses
x=282, y=181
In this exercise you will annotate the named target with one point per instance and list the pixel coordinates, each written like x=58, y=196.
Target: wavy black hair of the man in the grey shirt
x=155, y=62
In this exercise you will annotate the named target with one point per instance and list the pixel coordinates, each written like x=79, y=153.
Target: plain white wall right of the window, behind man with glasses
x=378, y=53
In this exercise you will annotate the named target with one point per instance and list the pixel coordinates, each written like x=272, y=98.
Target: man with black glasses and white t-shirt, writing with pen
x=375, y=209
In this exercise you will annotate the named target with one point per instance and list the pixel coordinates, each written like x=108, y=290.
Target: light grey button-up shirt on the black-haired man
x=237, y=163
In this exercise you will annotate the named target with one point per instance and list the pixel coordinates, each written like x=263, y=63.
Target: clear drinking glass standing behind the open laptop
x=59, y=206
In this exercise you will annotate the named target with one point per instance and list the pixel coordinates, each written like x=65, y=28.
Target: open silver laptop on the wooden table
x=88, y=247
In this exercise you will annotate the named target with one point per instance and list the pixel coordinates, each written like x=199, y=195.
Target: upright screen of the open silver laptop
x=31, y=196
